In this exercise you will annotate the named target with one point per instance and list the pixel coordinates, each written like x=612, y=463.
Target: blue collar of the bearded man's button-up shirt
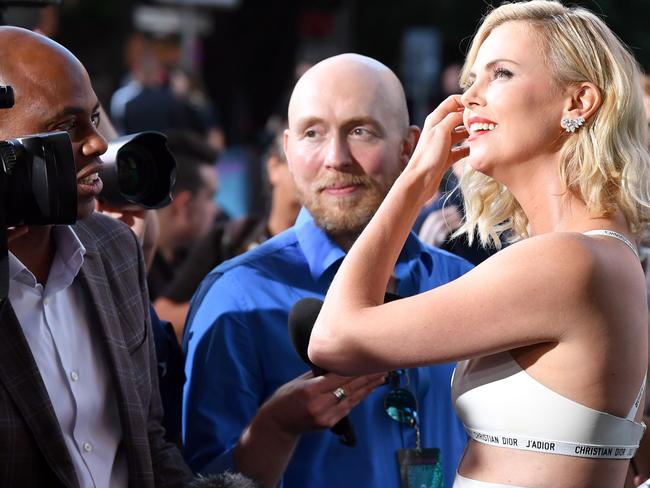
x=322, y=252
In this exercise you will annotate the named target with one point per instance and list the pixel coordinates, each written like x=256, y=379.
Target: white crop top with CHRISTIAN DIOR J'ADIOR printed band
x=502, y=405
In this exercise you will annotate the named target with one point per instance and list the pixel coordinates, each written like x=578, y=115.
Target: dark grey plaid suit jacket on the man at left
x=32, y=450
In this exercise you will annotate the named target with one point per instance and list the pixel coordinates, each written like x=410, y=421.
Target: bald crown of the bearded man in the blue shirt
x=353, y=76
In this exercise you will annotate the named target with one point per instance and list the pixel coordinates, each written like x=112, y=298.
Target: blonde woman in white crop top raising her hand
x=552, y=330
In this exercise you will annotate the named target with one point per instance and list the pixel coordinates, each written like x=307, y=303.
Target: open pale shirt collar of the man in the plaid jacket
x=69, y=250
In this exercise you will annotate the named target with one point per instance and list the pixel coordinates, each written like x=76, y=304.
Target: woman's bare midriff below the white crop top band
x=540, y=470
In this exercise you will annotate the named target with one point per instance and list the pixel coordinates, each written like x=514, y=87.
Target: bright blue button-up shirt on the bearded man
x=239, y=353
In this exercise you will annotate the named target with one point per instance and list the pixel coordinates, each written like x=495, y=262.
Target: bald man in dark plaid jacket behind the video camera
x=79, y=401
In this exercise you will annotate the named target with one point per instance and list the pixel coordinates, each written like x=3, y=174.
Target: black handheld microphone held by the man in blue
x=302, y=317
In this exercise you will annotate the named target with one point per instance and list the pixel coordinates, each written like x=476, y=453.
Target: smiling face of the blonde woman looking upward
x=513, y=107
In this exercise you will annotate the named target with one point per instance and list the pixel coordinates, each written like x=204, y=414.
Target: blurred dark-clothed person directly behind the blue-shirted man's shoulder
x=227, y=239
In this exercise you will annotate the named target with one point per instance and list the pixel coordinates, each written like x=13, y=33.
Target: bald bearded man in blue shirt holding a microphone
x=250, y=403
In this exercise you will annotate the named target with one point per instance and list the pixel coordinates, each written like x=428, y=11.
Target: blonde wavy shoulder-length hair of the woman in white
x=605, y=162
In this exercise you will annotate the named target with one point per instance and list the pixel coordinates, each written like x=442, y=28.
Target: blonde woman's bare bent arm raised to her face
x=473, y=315
